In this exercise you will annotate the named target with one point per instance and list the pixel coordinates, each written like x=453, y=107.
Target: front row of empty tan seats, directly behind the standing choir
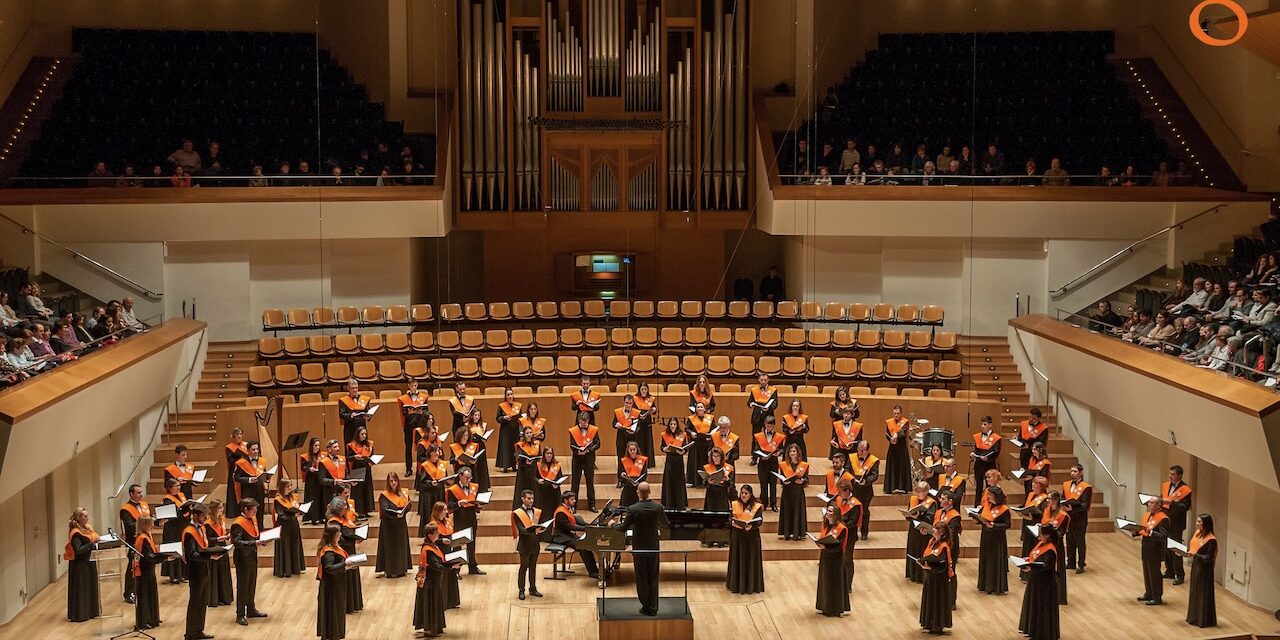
x=665, y=368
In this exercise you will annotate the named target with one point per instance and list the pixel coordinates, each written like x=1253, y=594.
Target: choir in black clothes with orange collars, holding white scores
x=701, y=451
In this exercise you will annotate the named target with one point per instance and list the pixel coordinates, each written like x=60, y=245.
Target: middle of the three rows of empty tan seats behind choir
x=600, y=340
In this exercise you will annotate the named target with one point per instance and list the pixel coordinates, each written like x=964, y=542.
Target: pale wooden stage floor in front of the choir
x=885, y=606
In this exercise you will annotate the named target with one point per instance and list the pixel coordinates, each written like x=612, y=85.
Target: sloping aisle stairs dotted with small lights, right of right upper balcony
x=1174, y=124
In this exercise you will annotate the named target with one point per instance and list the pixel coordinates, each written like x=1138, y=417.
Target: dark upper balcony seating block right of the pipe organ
x=1035, y=95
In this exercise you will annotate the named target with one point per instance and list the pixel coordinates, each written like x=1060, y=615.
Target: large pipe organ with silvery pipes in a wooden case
x=602, y=106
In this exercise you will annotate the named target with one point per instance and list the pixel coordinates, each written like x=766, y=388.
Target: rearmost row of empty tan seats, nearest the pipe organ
x=596, y=310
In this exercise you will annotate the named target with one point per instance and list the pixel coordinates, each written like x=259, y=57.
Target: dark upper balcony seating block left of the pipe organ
x=138, y=95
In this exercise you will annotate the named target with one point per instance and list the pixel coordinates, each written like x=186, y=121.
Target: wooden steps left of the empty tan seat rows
x=223, y=383
